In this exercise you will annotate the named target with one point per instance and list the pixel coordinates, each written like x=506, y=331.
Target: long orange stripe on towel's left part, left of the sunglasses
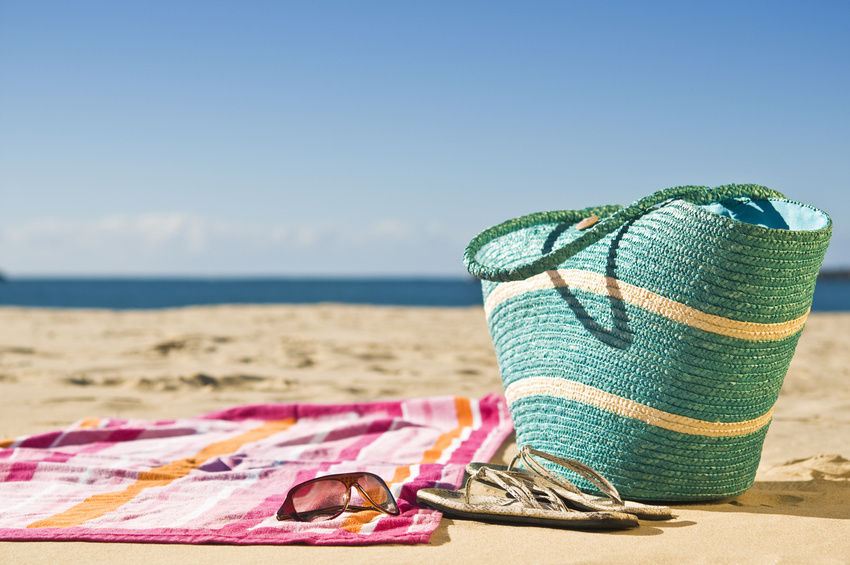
x=104, y=503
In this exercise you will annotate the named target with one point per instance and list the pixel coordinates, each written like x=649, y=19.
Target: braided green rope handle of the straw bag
x=613, y=216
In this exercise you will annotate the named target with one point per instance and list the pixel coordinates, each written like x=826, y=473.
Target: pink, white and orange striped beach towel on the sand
x=220, y=478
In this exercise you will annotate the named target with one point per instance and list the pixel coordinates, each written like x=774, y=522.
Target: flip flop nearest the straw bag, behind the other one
x=571, y=495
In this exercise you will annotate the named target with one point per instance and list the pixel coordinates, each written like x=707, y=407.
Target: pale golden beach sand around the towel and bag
x=57, y=366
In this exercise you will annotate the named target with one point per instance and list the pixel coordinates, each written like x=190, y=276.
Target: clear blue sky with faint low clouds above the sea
x=352, y=138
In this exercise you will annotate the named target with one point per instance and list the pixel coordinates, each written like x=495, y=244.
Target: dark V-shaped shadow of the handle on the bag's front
x=620, y=336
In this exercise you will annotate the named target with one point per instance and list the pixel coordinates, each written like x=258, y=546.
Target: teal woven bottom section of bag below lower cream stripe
x=644, y=462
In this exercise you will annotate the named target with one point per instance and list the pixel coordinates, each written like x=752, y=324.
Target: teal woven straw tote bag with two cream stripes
x=650, y=341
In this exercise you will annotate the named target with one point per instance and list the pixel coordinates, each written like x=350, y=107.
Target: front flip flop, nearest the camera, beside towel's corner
x=526, y=503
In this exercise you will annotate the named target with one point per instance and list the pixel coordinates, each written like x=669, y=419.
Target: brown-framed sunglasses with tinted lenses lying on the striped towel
x=325, y=498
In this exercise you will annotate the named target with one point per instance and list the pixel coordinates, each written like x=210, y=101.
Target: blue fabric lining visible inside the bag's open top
x=776, y=214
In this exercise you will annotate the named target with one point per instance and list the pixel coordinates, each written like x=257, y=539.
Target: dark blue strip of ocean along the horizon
x=831, y=294
